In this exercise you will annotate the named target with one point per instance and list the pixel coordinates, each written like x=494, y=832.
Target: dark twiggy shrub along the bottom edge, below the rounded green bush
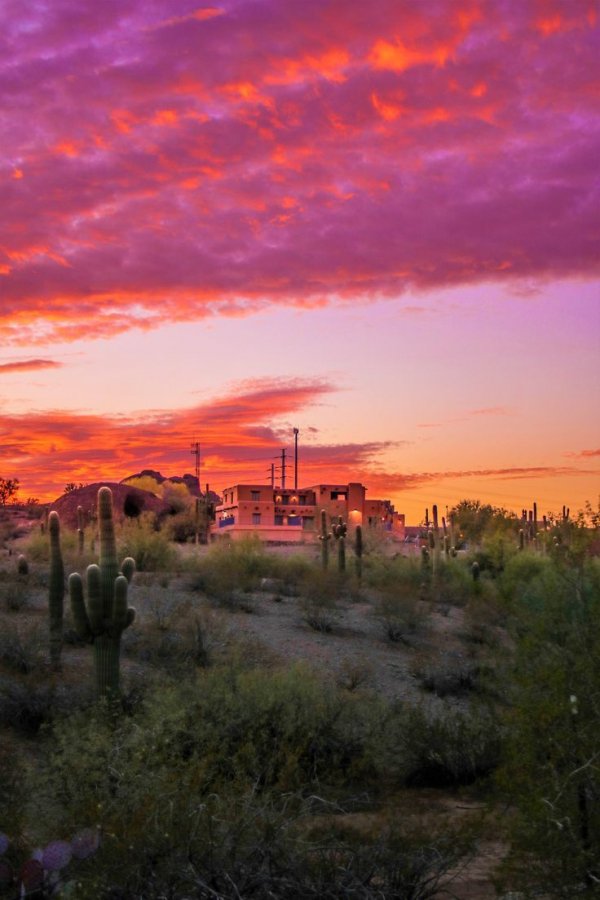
x=265, y=846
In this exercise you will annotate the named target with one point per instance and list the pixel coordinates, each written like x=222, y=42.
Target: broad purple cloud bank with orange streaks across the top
x=161, y=164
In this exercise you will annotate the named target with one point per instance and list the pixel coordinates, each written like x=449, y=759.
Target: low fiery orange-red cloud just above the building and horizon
x=241, y=434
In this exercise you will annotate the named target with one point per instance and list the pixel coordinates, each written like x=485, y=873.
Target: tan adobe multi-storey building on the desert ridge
x=290, y=515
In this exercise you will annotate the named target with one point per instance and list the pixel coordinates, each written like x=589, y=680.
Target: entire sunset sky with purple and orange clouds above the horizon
x=378, y=223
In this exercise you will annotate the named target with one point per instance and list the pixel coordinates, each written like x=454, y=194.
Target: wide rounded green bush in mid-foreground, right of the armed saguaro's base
x=228, y=727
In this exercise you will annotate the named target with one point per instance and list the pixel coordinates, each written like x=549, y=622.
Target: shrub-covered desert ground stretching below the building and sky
x=385, y=723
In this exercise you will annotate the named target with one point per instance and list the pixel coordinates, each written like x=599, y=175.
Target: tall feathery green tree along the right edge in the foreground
x=551, y=771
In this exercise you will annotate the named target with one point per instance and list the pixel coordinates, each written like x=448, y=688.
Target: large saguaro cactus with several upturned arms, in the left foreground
x=106, y=615
